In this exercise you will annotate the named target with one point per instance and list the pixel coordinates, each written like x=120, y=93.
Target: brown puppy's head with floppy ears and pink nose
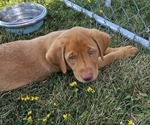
x=79, y=49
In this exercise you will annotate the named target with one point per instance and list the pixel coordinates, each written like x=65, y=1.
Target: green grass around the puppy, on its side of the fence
x=122, y=90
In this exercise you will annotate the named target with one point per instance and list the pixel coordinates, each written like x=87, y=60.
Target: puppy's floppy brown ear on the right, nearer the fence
x=102, y=40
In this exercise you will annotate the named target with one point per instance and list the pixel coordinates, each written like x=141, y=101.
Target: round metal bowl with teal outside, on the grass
x=23, y=18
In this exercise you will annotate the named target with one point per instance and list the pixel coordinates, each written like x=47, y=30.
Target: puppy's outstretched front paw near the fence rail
x=129, y=51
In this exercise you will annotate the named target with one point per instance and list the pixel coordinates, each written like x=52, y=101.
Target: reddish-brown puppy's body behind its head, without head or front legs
x=22, y=62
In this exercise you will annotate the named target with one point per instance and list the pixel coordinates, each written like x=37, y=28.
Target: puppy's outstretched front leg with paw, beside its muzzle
x=121, y=52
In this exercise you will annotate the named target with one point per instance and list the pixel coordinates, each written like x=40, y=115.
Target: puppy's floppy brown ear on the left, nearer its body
x=55, y=55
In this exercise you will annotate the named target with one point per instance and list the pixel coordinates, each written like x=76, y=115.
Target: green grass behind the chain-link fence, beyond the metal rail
x=129, y=14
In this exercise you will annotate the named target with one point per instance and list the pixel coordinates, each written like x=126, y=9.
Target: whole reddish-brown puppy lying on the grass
x=82, y=50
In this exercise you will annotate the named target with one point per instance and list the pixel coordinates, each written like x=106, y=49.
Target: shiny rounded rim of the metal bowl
x=27, y=22
